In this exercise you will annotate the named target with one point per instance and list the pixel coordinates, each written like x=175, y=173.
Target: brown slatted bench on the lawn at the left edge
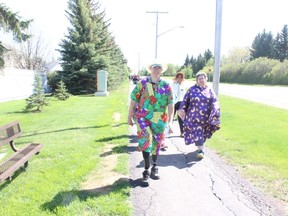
x=8, y=133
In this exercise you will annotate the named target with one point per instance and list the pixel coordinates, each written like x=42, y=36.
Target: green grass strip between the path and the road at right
x=254, y=138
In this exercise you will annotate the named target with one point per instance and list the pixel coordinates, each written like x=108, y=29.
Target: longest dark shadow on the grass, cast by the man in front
x=65, y=198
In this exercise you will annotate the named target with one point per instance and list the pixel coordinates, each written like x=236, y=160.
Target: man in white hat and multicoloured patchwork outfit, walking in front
x=151, y=108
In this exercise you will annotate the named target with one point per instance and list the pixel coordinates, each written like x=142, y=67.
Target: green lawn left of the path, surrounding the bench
x=74, y=134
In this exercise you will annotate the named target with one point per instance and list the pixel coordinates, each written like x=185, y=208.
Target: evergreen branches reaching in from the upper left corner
x=11, y=22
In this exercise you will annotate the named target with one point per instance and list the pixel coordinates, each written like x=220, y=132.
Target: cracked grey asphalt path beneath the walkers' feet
x=189, y=187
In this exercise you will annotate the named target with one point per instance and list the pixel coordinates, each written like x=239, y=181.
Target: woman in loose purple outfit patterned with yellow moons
x=200, y=111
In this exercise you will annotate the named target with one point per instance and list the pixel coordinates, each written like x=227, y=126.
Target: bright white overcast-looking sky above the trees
x=134, y=26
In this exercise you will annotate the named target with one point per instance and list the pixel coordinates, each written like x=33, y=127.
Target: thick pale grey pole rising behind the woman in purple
x=217, y=46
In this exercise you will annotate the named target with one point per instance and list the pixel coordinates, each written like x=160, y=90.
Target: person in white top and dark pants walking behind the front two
x=179, y=91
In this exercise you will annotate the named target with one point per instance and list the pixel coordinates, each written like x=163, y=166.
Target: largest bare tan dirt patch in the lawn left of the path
x=102, y=180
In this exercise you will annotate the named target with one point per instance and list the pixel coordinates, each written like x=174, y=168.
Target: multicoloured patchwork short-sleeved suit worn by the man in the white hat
x=151, y=113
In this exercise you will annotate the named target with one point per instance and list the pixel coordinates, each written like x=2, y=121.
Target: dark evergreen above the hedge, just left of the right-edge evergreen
x=262, y=45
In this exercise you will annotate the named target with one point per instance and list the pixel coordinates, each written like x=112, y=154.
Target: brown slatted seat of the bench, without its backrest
x=9, y=166
